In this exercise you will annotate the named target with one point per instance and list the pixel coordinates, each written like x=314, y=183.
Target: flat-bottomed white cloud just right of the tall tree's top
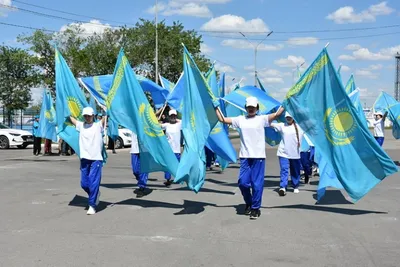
x=235, y=23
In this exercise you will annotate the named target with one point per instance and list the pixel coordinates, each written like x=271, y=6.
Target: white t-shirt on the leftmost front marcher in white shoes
x=90, y=140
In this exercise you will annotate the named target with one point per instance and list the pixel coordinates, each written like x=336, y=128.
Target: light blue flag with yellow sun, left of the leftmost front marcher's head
x=69, y=102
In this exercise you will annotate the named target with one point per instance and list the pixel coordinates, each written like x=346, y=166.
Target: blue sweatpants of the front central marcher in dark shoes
x=251, y=175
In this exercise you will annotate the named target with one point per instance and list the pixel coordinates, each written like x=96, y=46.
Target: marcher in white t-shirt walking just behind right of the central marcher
x=289, y=153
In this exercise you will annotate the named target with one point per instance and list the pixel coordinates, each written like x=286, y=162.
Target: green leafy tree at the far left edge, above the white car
x=18, y=75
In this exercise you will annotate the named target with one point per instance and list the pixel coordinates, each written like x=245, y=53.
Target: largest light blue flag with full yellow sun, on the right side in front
x=332, y=124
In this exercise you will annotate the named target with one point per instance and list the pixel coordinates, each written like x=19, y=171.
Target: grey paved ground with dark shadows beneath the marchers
x=43, y=220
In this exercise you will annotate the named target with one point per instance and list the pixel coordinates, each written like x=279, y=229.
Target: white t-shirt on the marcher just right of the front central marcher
x=289, y=146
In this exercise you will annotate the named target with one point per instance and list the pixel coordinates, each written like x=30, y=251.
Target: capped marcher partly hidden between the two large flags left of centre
x=173, y=134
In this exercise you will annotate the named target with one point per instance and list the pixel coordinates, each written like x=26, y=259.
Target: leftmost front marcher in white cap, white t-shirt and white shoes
x=90, y=148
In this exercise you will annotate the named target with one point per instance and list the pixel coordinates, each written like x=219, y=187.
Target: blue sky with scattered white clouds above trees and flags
x=362, y=35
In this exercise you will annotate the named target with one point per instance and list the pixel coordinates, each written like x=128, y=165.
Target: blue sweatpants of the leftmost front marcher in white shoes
x=91, y=178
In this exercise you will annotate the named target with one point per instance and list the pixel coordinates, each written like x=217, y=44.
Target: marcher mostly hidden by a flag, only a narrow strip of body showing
x=135, y=163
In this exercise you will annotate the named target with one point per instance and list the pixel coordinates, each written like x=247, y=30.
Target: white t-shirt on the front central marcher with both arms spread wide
x=252, y=137
